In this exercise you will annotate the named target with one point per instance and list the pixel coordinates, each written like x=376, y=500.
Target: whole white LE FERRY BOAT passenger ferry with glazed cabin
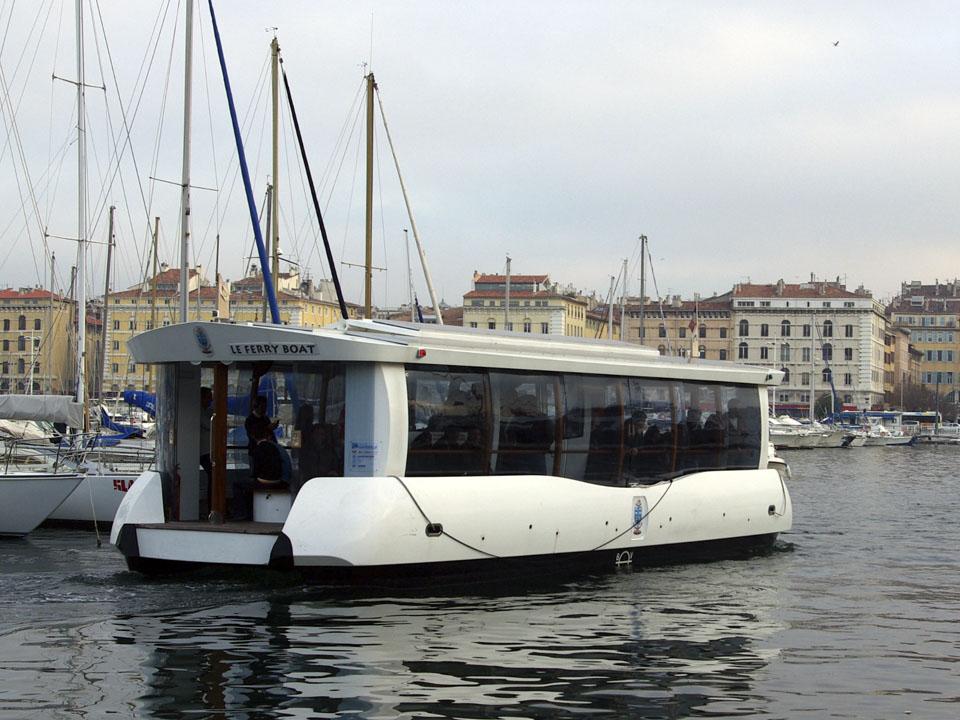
x=420, y=451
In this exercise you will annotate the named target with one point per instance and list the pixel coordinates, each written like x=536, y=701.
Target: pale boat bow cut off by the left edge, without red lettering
x=27, y=499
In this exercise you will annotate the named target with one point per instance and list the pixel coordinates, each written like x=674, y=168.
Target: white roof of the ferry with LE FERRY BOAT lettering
x=410, y=343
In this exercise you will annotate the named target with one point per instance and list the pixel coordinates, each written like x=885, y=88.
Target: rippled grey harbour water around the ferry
x=854, y=615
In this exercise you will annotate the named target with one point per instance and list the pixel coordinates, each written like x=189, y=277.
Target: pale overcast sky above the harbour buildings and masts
x=750, y=140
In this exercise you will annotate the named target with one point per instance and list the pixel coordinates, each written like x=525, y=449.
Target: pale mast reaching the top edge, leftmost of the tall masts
x=81, y=221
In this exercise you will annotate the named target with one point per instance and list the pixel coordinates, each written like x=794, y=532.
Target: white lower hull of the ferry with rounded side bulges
x=365, y=523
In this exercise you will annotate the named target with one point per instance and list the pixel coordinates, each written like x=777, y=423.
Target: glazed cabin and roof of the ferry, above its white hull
x=372, y=398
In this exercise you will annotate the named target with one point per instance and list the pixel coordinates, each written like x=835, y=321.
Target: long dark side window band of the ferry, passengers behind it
x=600, y=429
